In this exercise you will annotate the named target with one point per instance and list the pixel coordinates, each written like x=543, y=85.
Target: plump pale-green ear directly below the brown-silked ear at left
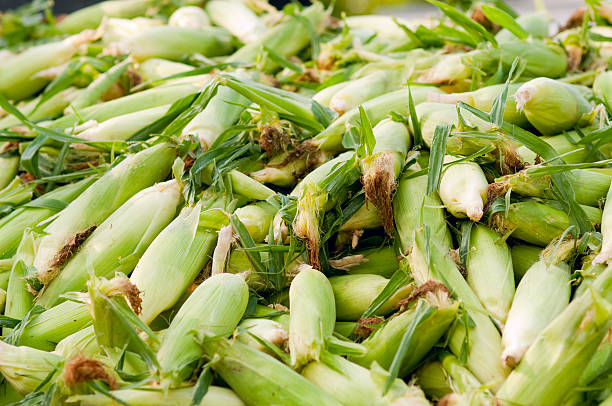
x=118, y=243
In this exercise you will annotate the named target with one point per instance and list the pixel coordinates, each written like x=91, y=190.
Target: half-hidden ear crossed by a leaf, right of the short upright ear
x=355, y=293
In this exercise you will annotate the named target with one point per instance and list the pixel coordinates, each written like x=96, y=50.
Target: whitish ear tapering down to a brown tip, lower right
x=532, y=311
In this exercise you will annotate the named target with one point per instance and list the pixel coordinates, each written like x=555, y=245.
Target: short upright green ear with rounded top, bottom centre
x=312, y=316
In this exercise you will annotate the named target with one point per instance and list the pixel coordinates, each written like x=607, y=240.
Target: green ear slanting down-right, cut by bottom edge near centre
x=259, y=379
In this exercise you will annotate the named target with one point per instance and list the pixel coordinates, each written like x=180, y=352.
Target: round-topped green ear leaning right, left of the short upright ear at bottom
x=224, y=296
